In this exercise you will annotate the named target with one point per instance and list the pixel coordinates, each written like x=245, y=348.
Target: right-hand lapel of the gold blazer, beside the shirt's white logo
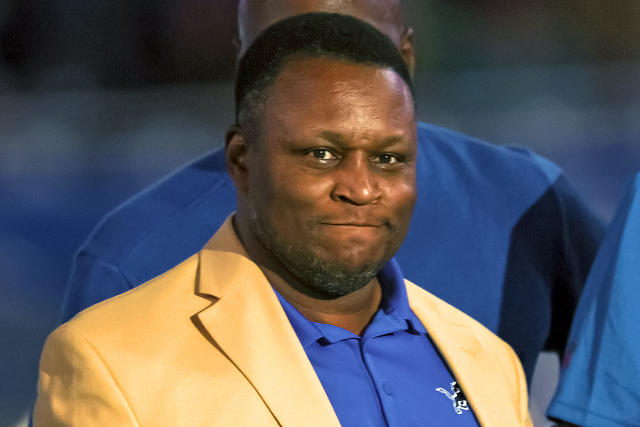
x=474, y=367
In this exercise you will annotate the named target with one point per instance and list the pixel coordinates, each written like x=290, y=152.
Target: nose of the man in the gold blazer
x=355, y=182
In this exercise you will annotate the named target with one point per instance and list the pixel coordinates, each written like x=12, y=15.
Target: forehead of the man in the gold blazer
x=313, y=94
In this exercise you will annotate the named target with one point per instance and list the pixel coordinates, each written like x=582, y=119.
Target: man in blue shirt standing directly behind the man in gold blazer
x=497, y=231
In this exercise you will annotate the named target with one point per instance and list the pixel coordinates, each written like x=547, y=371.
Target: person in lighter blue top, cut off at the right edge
x=599, y=382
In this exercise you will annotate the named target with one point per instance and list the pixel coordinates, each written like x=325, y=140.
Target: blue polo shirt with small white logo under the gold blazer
x=392, y=375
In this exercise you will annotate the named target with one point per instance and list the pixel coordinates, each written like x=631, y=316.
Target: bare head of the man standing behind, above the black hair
x=256, y=15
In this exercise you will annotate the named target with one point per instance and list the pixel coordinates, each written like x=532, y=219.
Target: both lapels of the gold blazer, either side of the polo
x=247, y=323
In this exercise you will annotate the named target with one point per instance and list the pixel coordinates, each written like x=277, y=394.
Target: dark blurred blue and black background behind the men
x=98, y=99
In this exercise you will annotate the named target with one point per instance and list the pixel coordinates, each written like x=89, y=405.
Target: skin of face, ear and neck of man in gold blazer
x=332, y=170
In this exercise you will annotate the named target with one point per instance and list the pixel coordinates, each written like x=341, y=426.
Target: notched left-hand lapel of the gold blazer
x=248, y=324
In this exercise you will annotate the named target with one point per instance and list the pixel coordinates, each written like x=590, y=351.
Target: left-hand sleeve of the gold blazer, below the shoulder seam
x=76, y=388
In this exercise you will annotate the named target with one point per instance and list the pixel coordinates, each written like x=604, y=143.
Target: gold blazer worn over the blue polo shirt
x=208, y=344
